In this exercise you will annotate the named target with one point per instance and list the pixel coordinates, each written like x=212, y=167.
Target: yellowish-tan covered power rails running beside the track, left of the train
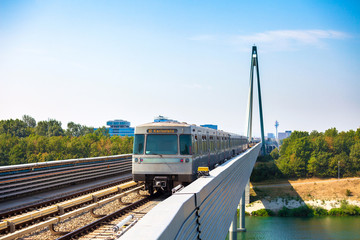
x=49, y=216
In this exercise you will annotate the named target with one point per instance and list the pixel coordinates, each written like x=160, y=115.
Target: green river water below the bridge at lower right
x=278, y=228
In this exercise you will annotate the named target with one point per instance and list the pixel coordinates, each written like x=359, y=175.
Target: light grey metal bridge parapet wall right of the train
x=202, y=210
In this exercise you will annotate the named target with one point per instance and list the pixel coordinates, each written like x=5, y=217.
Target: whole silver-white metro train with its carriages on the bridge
x=169, y=153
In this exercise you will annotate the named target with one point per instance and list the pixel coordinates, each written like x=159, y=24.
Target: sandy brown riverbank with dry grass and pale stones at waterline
x=325, y=193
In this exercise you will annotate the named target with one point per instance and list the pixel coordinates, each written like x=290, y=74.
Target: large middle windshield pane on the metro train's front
x=161, y=144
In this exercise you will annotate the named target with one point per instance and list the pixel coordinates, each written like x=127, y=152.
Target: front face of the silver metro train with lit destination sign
x=162, y=155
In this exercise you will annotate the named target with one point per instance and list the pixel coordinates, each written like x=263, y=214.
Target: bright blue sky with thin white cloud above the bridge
x=93, y=61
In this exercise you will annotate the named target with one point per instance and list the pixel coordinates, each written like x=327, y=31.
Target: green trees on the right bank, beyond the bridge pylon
x=312, y=155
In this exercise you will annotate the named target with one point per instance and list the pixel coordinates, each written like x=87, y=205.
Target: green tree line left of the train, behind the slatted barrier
x=26, y=141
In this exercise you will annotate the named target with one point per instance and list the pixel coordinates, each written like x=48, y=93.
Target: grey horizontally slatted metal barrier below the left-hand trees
x=22, y=180
